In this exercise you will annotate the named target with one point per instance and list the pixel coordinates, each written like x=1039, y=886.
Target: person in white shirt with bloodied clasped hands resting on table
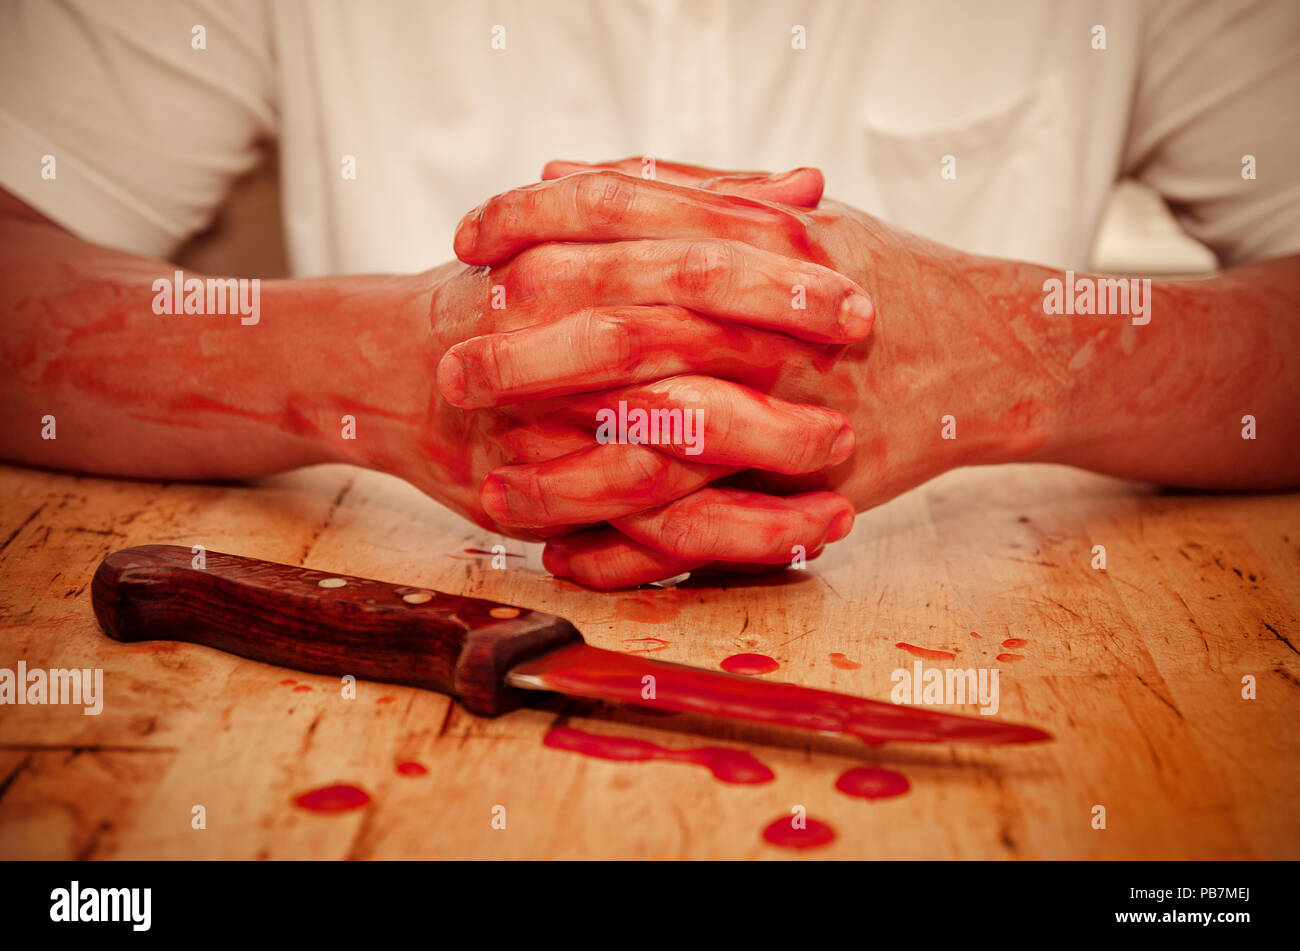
x=831, y=358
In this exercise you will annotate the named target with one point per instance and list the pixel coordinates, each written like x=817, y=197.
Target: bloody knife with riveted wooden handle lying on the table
x=489, y=657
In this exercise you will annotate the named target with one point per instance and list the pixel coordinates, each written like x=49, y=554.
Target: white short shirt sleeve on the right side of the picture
x=1217, y=102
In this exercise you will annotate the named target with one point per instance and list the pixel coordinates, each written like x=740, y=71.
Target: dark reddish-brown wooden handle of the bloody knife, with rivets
x=328, y=624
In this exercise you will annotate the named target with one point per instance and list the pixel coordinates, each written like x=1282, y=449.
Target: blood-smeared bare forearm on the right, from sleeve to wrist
x=1163, y=401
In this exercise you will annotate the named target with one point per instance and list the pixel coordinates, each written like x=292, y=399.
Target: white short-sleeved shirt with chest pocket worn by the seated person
x=996, y=127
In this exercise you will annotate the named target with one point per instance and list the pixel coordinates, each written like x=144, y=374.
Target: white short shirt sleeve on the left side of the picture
x=119, y=127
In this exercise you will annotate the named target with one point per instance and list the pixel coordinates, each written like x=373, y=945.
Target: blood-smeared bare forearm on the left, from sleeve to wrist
x=136, y=393
